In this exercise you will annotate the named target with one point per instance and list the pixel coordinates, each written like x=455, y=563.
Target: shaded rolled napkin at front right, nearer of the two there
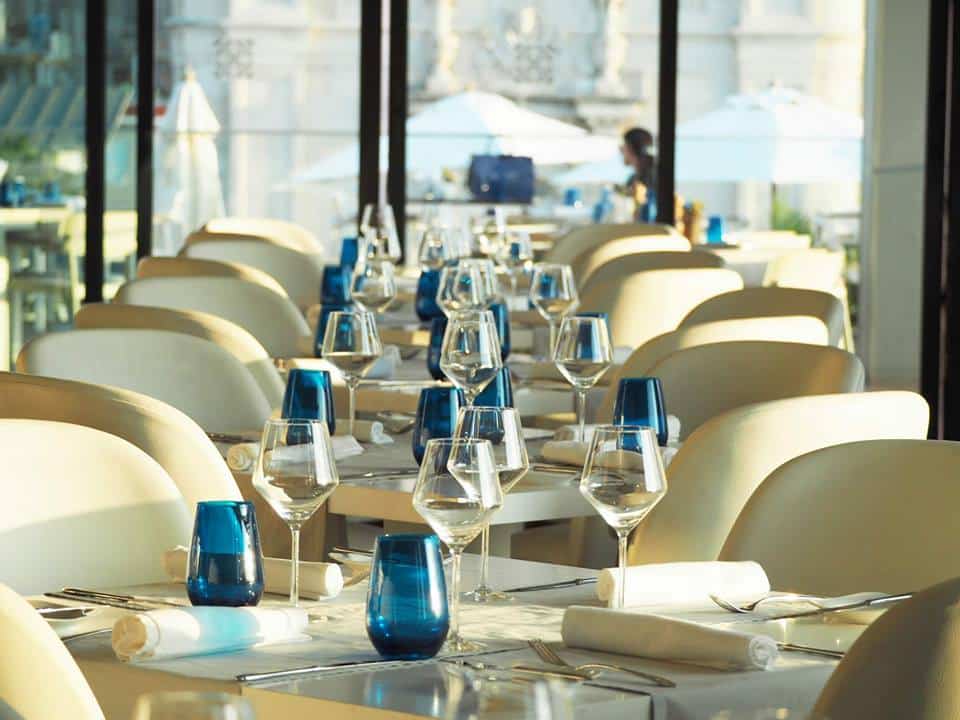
x=661, y=638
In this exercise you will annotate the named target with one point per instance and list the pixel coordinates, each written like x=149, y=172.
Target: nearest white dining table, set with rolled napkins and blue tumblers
x=336, y=673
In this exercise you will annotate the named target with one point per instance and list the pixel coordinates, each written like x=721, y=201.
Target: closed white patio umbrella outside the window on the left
x=189, y=191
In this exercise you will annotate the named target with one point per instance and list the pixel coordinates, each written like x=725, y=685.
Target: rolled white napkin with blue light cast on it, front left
x=179, y=632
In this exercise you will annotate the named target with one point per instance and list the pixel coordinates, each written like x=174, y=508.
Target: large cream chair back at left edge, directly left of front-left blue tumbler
x=84, y=508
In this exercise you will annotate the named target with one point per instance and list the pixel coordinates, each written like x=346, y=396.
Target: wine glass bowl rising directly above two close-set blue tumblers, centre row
x=470, y=355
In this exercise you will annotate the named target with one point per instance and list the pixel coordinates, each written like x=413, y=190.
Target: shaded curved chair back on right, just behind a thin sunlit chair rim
x=773, y=302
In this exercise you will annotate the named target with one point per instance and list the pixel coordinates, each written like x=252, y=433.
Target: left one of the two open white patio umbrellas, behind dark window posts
x=446, y=133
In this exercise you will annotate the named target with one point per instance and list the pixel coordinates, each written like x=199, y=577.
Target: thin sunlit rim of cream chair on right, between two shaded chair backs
x=800, y=329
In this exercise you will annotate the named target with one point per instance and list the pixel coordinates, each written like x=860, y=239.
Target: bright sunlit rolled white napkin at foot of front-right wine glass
x=686, y=584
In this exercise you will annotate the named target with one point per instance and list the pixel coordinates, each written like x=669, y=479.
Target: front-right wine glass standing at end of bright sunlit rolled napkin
x=623, y=478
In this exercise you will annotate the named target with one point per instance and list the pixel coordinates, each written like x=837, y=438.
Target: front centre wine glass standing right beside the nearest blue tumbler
x=456, y=493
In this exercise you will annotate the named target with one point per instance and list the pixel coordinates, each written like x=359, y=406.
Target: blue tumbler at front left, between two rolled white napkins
x=225, y=566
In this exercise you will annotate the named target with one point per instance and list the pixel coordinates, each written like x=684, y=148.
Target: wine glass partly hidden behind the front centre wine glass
x=501, y=426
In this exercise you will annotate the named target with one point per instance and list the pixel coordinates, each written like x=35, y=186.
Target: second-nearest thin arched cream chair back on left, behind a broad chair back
x=232, y=338
